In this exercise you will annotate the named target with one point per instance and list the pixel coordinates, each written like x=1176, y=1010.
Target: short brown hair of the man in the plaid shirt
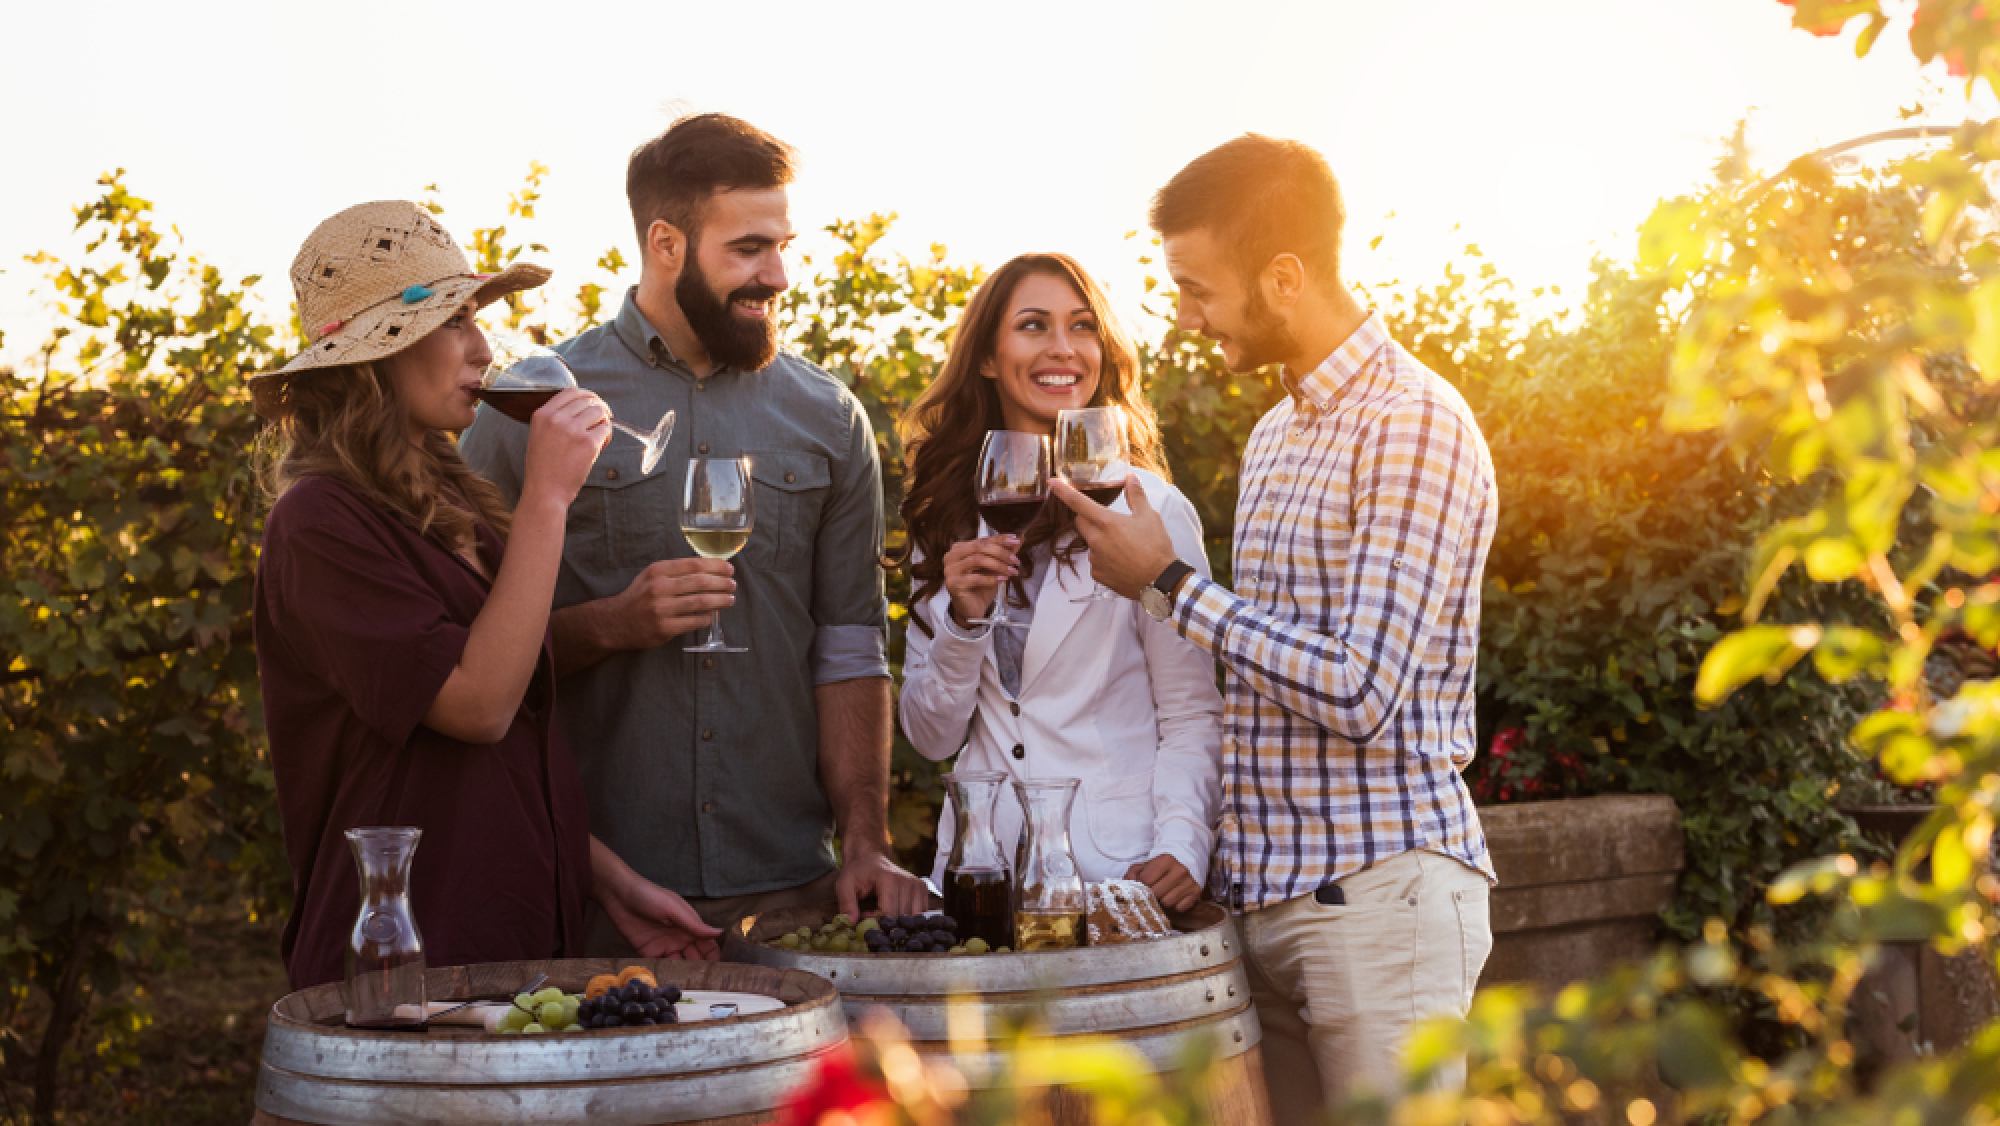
x=1261, y=197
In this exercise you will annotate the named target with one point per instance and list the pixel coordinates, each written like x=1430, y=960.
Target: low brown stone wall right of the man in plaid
x=1581, y=885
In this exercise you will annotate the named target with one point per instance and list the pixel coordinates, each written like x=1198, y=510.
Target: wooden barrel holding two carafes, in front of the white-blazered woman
x=1151, y=995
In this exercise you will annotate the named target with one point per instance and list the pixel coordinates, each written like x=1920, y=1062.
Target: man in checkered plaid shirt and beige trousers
x=1349, y=839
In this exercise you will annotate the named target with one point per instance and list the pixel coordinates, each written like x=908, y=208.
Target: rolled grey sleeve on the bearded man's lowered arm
x=849, y=601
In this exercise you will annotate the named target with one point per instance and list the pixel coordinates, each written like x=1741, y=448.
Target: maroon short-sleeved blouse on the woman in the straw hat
x=359, y=623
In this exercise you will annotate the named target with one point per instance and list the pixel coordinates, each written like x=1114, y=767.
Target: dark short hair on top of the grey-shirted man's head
x=675, y=175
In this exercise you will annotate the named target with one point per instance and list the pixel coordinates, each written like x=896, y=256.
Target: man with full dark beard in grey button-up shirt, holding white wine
x=723, y=775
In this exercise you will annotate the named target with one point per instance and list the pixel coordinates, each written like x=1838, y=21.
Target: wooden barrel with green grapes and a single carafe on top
x=731, y=1071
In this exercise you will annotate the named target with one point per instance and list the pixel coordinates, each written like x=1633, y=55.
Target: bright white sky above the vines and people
x=1539, y=129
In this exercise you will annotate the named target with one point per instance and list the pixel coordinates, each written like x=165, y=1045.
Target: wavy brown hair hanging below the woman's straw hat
x=349, y=425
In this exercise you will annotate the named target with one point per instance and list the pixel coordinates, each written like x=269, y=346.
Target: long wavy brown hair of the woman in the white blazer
x=945, y=427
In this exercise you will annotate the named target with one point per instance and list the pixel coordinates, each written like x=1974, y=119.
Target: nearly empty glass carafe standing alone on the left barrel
x=385, y=951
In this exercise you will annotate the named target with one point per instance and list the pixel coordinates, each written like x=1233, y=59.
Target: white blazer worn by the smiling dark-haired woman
x=1107, y=695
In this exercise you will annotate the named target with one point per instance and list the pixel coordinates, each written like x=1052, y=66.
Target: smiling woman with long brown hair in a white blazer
x=1093, y=689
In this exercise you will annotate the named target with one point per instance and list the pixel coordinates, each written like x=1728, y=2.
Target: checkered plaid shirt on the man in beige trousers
x=1353, y=637
